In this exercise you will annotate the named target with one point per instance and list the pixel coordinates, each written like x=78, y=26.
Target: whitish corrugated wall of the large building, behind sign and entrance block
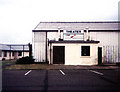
x=108, y=42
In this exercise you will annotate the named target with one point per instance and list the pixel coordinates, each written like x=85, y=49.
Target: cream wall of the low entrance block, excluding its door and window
x=73, y=54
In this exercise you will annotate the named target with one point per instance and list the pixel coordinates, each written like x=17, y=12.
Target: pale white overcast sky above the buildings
x=19, y=17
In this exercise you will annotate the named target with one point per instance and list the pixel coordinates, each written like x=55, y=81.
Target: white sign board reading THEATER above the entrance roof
x=73, y=34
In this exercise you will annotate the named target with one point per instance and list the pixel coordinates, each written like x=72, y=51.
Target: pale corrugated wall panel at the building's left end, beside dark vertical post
x=39, y=49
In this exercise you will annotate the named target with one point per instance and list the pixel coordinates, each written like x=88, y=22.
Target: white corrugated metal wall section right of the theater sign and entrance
x=109, y=44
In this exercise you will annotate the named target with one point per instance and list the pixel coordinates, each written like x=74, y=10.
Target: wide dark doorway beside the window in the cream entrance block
x=58, y=54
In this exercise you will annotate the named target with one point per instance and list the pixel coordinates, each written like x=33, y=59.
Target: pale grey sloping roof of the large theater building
x=100, y=25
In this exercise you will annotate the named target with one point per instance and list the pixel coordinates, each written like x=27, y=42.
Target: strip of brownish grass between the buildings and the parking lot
x=11, y=65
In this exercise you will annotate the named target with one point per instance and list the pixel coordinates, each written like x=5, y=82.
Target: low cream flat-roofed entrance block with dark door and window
x=74, y=52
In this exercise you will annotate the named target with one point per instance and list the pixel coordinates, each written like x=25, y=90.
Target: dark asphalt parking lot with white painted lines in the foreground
x=79, y=80
